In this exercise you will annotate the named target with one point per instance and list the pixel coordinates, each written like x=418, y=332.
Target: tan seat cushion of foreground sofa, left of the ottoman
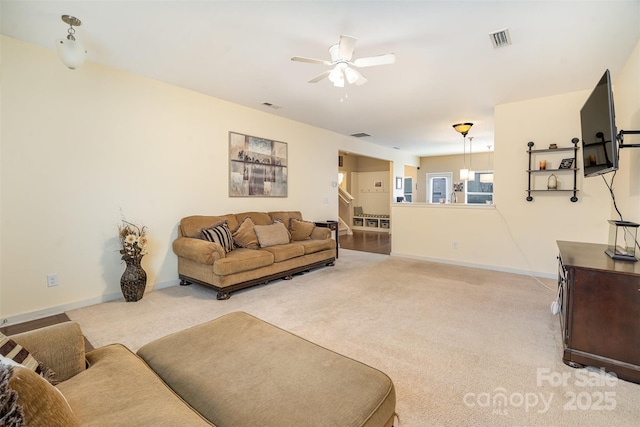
x=119, y=389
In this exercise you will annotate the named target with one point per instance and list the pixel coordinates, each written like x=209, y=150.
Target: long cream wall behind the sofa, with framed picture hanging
x=78, y=148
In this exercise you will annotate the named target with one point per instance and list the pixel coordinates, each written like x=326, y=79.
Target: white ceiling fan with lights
x=343, y=66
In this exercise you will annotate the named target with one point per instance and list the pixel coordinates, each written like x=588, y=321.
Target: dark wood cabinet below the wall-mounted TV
x=599, y=309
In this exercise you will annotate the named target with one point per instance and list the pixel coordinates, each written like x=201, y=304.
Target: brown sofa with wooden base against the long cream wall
x=250, y=262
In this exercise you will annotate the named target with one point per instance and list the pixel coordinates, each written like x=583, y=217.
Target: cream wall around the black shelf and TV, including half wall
x=517, y=235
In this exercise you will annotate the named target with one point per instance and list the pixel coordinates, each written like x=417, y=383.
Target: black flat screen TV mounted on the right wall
x=597, y=121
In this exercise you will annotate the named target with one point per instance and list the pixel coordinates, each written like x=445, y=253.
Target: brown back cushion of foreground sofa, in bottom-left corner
x=42, y=403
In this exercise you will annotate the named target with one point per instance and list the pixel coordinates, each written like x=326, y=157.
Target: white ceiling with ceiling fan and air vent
x=446, y=69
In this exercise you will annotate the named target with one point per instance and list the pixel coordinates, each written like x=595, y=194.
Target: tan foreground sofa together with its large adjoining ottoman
x=236, y=370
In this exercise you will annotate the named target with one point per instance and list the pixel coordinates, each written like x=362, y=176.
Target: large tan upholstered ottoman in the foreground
x=238, y=371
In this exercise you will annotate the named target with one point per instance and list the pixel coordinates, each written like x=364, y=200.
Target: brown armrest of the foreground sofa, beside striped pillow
x=59, y=347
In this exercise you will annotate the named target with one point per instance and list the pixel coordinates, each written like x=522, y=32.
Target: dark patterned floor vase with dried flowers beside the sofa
x=134, y=246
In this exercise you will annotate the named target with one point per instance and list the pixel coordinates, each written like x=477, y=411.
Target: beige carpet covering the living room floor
x=464, y=347
